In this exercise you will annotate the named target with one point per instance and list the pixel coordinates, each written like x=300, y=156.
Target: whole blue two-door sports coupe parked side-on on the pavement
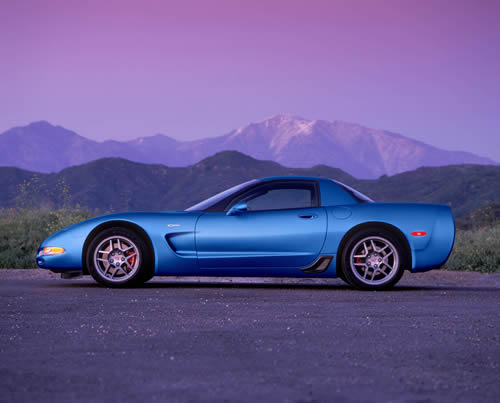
x=279, y=227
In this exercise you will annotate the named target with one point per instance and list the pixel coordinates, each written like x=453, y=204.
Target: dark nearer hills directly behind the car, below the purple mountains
x=115, y=184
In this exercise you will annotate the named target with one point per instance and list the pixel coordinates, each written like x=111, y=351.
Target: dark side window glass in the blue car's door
x=281, y=196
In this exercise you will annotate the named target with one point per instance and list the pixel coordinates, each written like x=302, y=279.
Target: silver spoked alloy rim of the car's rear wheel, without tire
x=374, y=260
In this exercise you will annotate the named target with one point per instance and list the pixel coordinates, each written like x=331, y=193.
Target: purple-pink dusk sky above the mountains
x=189, y=69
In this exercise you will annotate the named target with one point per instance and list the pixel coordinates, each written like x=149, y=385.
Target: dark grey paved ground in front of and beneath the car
x=434, y=338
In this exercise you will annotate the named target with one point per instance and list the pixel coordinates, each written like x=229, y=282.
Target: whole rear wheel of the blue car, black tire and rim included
x=373, y=259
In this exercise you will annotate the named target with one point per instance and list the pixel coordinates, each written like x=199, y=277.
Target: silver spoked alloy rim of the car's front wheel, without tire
x=117, y=258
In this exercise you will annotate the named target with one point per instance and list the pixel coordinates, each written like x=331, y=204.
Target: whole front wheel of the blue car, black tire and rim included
x=119, y=257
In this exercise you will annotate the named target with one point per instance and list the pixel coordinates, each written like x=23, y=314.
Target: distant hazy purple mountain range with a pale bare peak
x=289, y=140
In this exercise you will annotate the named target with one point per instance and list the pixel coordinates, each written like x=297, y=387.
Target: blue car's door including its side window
x=283, y=227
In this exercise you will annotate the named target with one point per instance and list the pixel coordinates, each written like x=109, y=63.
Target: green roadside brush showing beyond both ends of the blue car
x=477, y=248
